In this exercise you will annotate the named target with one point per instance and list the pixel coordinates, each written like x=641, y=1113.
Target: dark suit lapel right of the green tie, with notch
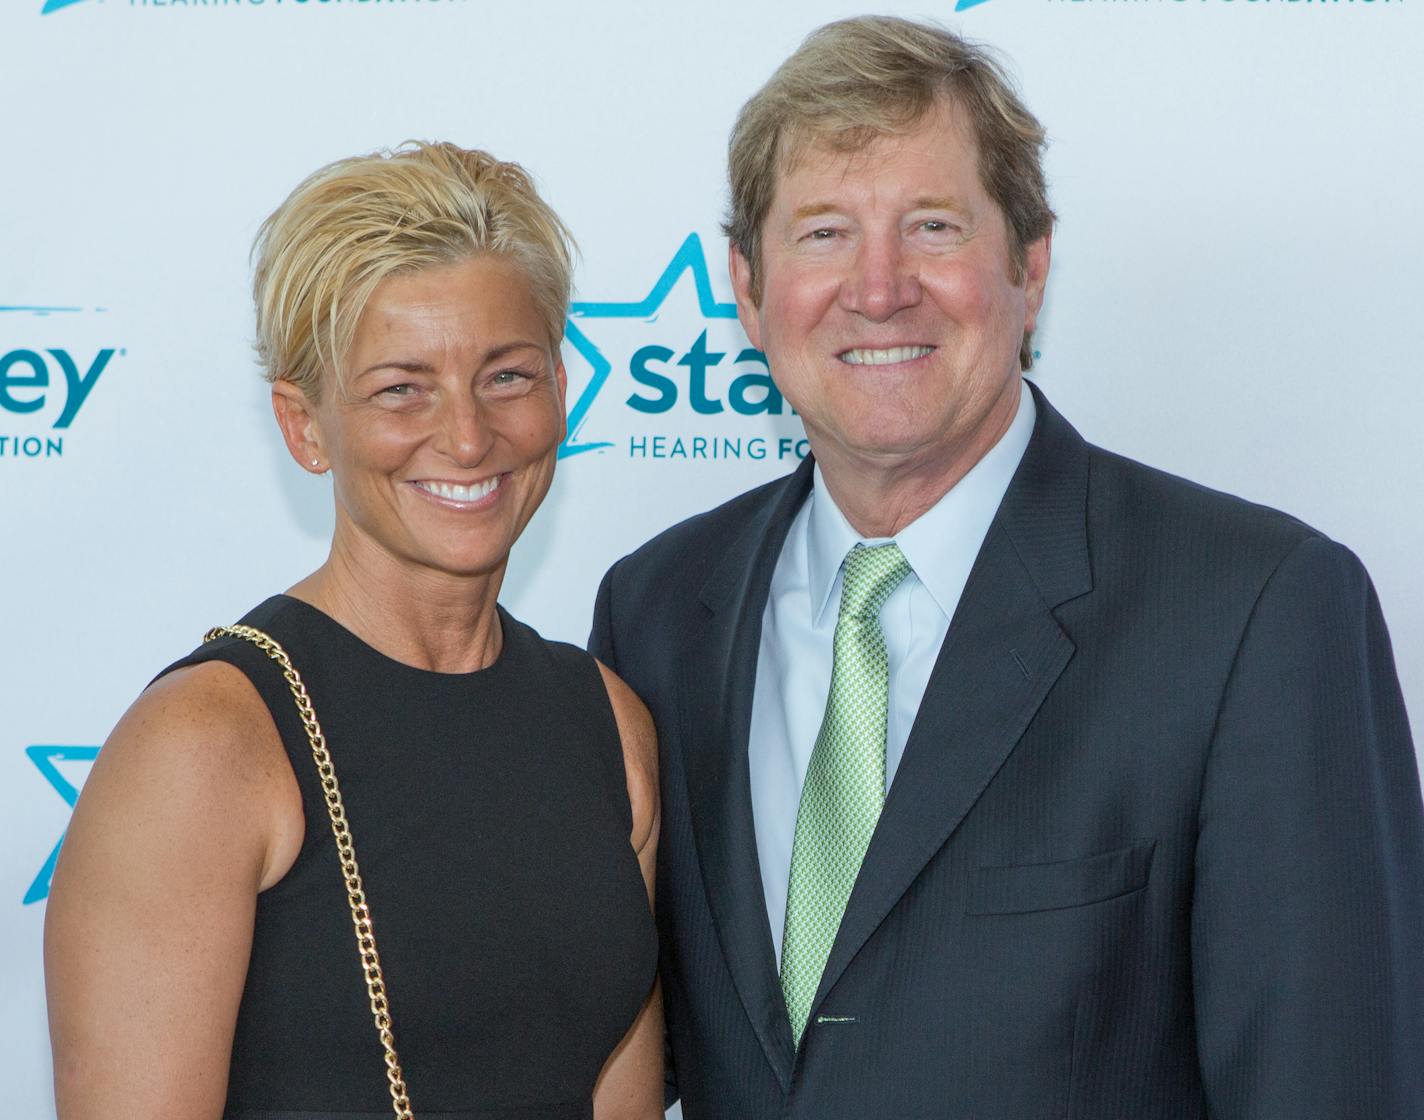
x=1000, y=658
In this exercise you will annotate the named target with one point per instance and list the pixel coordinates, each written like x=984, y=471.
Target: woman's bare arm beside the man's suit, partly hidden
x=630, y=1087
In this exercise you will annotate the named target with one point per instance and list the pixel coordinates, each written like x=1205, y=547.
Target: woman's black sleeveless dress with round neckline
x=492, y=820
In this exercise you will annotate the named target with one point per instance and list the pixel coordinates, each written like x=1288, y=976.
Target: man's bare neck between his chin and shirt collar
x=881, y=495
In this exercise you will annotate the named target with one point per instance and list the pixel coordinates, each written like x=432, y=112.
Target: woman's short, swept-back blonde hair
x=357, y=223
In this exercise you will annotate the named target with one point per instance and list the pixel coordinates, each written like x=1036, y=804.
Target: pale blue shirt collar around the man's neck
x=943, y=541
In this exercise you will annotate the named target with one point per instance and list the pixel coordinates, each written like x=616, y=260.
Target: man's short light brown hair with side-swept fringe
x=857, y=80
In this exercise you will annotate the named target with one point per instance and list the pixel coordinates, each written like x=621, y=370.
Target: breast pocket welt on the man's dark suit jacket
x=1063, y=884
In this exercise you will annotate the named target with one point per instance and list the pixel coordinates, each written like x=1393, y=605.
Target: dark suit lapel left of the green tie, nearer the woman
x=720, y=680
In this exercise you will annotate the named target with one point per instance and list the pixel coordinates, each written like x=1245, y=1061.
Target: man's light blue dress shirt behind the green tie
x=795, y=657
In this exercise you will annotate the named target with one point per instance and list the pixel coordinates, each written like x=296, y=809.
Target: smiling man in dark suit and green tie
x=1003, y=778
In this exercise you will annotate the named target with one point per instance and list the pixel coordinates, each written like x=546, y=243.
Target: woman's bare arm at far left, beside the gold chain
x=190, y=812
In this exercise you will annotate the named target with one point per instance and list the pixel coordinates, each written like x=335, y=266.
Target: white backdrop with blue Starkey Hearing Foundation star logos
x=1234, y=300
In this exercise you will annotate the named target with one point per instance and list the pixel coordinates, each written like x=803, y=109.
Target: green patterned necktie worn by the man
x=847, y=779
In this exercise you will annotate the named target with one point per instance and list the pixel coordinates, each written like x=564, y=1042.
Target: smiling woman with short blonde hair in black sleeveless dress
x=501, y=789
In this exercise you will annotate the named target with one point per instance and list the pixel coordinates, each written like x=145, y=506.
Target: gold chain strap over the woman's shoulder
x=345, y=849
